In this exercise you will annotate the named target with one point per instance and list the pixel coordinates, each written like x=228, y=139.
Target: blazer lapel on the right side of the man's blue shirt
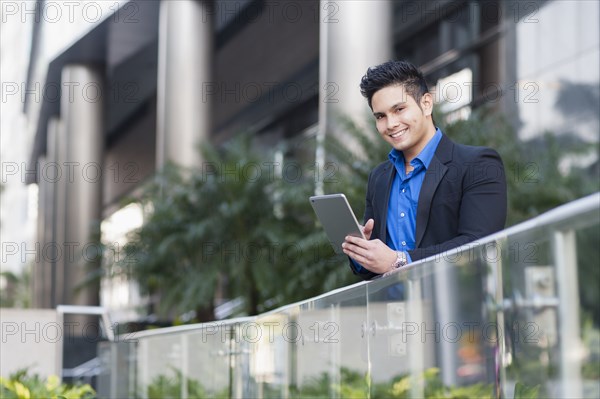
x=435, y=172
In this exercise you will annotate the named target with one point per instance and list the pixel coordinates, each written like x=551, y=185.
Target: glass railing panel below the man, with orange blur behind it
x=430, y=330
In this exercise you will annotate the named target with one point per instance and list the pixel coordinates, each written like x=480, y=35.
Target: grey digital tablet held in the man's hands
x=337, y=218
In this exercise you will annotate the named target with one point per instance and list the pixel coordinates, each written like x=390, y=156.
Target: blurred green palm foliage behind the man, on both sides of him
x=233, y=228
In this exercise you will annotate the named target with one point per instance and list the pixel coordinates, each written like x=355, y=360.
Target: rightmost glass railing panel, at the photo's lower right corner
x=551, y=333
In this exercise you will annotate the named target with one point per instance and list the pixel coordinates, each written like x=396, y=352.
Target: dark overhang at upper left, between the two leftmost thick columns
x=124, y=46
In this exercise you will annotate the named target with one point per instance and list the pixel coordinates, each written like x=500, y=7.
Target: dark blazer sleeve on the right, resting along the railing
x=483, y=205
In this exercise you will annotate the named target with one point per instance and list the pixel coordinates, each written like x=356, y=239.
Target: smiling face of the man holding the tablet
x=404, y=124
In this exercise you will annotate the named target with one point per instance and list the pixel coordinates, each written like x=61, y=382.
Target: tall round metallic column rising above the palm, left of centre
x=185, y=59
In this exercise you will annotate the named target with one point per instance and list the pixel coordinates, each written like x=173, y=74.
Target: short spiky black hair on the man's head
x=394, y=73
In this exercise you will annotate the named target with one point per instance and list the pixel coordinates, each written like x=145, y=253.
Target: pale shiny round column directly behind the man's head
x=354, y=35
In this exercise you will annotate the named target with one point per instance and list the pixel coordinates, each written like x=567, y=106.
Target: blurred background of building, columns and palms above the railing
x=157, y=155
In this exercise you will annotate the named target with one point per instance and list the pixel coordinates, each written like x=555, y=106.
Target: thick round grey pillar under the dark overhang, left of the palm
x=82, y=115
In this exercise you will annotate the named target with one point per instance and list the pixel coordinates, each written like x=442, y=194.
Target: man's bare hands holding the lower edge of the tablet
x=374, y=255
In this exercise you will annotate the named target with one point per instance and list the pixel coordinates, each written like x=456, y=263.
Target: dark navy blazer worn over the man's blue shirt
x=462, y=199
